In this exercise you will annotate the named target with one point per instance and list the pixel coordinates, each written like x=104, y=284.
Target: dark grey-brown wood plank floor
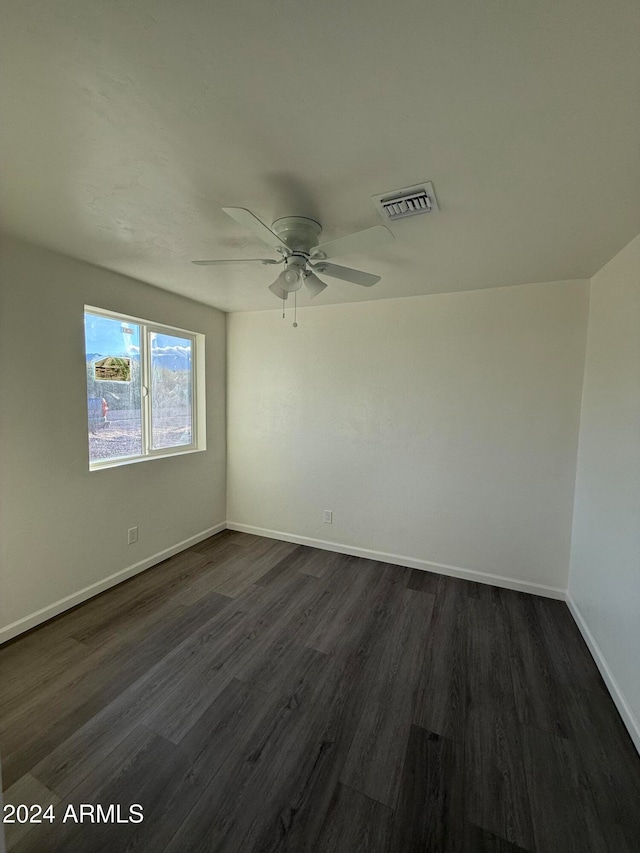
x=254, y=695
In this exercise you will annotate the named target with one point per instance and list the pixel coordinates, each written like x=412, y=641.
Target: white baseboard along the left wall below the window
x=51, y=610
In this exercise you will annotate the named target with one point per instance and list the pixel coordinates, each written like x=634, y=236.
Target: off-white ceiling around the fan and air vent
x=128, y=124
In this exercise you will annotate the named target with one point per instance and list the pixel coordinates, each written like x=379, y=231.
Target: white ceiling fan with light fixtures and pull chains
x=295, y=238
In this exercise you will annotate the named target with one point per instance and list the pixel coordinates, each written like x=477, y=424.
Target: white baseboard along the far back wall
x=410, y=562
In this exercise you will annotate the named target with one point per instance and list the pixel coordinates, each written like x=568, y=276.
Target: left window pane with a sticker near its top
x=112, y=350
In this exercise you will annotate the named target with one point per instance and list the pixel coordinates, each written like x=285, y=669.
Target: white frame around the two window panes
x=198, y=402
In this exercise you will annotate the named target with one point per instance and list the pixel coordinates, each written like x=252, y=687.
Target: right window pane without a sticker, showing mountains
x=171, y=391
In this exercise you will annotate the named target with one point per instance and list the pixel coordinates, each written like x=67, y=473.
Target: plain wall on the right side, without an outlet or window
x=604, y=583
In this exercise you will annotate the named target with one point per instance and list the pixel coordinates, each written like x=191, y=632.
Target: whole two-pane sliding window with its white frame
x=145, y=389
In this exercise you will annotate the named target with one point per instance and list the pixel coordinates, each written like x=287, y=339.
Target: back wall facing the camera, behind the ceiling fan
x=441, y=430
